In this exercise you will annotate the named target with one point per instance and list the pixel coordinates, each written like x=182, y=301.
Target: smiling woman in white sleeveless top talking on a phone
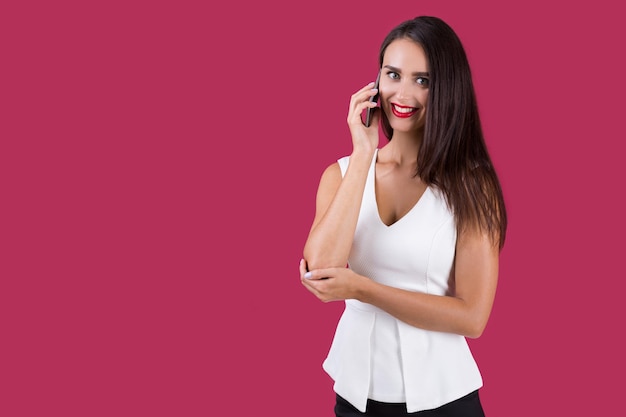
x=420, y=223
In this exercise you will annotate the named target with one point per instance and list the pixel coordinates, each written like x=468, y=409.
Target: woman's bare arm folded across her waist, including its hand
x=466, y=312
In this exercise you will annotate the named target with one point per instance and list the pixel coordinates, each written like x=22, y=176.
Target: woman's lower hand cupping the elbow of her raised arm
x=331, y=284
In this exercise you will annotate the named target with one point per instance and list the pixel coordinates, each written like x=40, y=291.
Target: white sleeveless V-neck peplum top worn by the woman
x=374, y=355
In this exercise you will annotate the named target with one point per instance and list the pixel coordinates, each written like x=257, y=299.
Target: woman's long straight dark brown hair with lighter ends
x=453, y=155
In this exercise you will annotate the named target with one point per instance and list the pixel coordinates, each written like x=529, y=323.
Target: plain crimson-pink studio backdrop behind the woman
x=159, y=162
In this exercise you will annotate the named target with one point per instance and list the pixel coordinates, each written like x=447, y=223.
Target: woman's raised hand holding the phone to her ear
x=364, y=139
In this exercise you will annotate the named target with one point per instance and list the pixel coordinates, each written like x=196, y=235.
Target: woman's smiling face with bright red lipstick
x=404, y=83
